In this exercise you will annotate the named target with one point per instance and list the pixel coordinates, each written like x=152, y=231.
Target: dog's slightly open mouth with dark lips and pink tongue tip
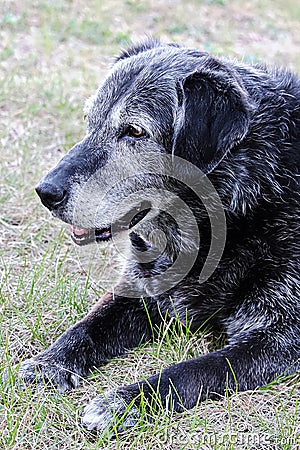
x=83, y=236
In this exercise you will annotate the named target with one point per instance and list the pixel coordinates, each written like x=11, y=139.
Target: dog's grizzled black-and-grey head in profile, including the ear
x=158, y=100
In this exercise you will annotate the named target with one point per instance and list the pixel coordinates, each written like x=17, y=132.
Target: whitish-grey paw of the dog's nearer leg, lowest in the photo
x=111, y=413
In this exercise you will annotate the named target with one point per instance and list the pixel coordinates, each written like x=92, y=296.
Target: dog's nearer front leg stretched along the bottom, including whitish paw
x=254, y=362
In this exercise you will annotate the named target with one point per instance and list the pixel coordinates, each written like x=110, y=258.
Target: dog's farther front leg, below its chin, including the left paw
x=114, y=326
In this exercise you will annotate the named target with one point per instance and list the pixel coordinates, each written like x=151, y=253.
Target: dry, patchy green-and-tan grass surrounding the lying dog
x=52, y=56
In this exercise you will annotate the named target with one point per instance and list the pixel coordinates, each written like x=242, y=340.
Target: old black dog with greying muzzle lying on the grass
x=192, y=160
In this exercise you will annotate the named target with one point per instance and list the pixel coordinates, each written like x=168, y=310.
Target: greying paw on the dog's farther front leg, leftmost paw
x=41, y=373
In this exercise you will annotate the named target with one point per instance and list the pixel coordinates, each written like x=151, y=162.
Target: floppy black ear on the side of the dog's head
x=213, y=117
